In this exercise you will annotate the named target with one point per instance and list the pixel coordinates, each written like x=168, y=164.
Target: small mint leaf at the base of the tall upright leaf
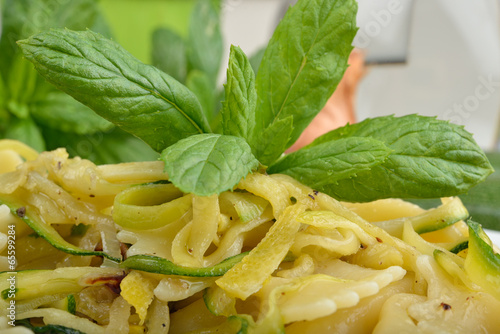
x=272, y=142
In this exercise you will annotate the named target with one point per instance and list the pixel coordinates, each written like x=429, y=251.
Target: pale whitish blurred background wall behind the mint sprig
x=431, y=57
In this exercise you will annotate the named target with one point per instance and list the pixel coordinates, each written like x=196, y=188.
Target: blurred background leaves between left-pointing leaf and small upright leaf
x=195, y=61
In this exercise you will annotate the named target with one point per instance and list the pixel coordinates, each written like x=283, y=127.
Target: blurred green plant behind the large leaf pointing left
x=32, y=110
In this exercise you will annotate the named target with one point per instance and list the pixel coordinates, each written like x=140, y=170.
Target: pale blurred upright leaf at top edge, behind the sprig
x=204, y=48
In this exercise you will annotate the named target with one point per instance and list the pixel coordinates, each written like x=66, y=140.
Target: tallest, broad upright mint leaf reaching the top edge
x=304, y=62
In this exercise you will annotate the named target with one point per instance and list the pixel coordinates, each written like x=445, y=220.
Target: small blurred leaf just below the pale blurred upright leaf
x=201, y=85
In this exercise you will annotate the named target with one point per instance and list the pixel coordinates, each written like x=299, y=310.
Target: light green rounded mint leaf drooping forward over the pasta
x=208, y=164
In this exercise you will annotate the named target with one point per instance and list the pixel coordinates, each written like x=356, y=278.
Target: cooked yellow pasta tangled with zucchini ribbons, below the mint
x=118, y=248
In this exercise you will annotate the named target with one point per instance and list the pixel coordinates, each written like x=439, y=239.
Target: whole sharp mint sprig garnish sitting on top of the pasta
x=262, y=115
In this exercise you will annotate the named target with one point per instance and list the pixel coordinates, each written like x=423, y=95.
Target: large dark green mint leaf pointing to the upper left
x=99, y=73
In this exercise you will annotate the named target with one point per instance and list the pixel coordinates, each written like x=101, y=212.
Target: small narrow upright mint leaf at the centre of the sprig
x=238, y=111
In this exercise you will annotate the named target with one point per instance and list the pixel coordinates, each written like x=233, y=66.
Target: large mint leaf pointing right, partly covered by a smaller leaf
x=430, y=158
